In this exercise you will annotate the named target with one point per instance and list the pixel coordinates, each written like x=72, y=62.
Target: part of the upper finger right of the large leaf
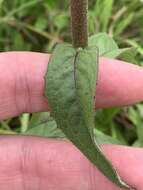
x=120, y=83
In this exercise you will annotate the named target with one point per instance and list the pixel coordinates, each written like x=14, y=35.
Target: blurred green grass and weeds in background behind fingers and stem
x=37, y=25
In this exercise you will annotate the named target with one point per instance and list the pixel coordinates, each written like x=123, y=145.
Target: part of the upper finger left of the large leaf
x=22, y=83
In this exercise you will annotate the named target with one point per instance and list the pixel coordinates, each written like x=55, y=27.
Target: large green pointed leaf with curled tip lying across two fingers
x=70, y=89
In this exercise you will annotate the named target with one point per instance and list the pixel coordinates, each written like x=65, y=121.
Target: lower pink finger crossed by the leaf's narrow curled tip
x=38, y=163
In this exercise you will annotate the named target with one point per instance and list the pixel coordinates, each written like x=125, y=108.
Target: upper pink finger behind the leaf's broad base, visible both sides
x=22, y=83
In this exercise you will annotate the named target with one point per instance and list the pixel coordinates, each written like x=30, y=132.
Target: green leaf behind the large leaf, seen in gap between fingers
x=41, y=124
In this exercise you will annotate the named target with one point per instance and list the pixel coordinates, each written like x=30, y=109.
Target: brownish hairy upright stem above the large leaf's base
x=79, y=9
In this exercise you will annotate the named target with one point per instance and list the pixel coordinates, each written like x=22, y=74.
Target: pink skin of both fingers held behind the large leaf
x=33, y=163
